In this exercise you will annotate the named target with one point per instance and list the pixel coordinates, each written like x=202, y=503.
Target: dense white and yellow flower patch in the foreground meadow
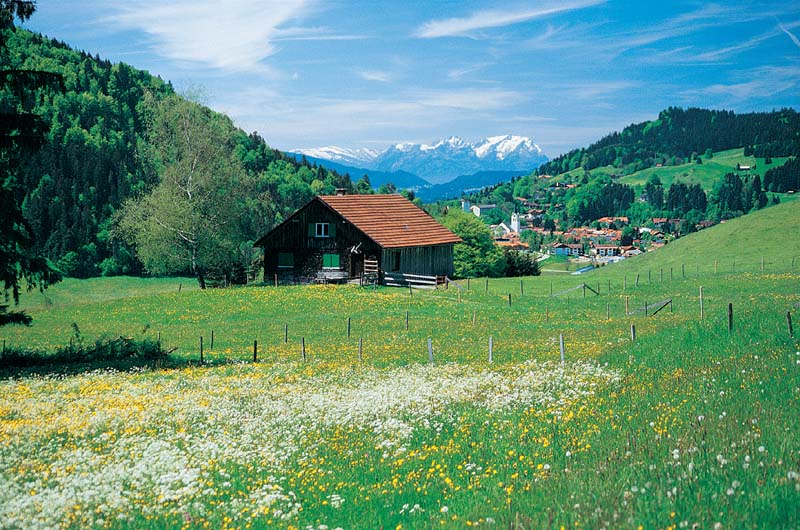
x=258, y=445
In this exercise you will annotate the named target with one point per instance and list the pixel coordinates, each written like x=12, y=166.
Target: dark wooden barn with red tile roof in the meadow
x=341, y=237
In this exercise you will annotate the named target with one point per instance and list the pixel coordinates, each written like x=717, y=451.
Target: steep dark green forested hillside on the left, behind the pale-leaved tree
x=96, y=154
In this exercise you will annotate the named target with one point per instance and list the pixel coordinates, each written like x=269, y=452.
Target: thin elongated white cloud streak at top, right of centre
x=460, y=27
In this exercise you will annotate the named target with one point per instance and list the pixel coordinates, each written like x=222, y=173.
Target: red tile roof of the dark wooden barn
x=392, y=221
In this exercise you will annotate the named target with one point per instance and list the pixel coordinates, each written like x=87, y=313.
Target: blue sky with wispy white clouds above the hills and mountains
x=307, y=73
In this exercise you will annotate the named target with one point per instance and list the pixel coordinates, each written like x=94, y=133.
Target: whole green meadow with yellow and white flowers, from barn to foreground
x=689, y=425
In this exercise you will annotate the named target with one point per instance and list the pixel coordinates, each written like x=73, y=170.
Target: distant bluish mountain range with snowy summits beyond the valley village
x=421, y=166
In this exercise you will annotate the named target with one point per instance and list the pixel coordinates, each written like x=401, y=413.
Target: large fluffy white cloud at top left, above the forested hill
x=235, y=36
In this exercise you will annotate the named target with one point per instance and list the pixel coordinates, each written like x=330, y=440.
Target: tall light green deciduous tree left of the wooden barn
x=190, y=220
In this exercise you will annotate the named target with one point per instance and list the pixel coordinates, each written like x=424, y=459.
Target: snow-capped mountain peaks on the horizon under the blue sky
x=444, y=160
